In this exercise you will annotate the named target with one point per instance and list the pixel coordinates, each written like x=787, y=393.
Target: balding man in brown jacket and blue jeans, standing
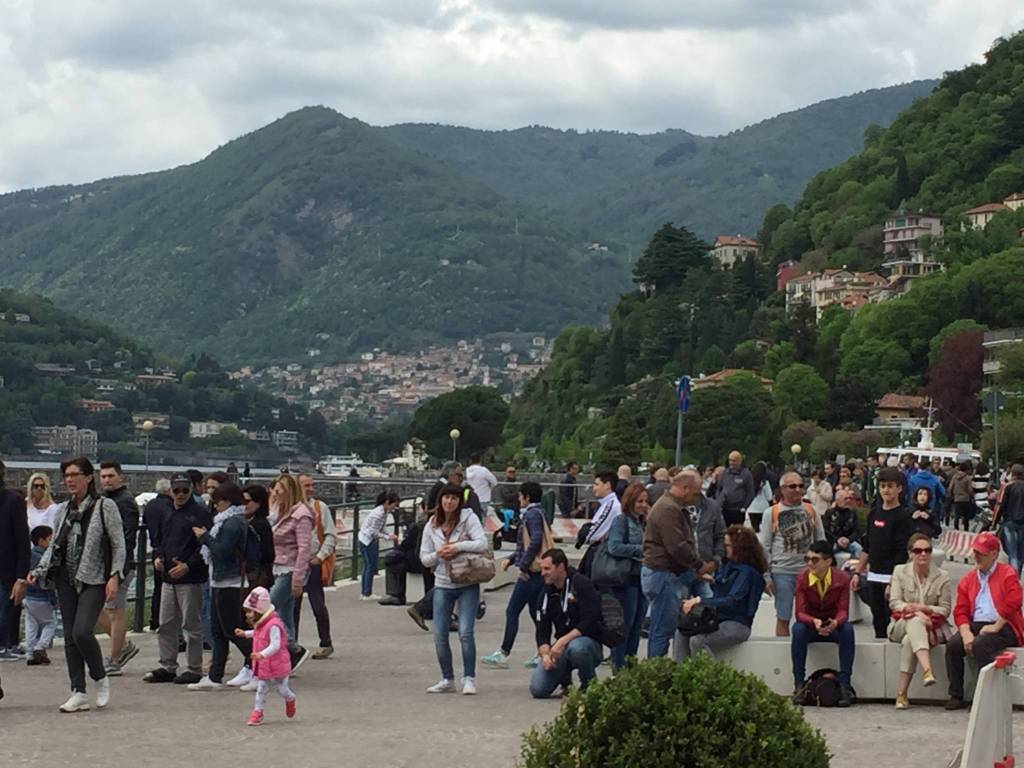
x=670, y=559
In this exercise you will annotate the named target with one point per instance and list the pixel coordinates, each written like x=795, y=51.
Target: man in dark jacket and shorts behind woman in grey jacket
x=113, y=620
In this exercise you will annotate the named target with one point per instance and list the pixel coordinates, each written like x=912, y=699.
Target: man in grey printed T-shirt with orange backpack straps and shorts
x=787, y=534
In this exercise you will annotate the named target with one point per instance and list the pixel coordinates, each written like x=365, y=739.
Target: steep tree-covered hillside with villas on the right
x=960, y=148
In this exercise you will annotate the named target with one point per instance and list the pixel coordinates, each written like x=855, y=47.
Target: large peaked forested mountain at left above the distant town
x=316, y=232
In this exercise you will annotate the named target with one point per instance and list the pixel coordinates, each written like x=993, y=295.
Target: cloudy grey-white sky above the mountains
x=95, y=89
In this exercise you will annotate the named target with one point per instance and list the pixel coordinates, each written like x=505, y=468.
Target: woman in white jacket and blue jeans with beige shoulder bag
x=450, y=533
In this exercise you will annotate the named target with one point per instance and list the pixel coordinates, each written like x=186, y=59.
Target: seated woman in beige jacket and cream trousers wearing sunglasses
x=921, y=600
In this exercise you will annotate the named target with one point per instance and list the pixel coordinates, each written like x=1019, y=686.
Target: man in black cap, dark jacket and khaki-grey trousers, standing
x=180, y=559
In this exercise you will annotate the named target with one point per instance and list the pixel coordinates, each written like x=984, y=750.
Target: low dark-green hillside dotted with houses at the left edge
x=51, y=360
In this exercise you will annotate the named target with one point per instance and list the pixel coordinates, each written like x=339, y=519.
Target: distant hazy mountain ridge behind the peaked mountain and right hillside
x=620, y=188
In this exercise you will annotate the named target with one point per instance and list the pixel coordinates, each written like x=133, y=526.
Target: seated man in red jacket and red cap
x=988, y=615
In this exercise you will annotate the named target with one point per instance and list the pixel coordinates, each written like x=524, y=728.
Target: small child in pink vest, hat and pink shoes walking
x=272, y=662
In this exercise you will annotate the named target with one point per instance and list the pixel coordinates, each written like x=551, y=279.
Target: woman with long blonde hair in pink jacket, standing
x=293, y=528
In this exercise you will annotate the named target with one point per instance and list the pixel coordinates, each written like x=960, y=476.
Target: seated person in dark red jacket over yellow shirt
x=823, y=617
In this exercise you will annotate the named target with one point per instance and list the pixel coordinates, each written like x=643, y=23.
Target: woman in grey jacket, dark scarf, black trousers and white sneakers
x=86, y=564
